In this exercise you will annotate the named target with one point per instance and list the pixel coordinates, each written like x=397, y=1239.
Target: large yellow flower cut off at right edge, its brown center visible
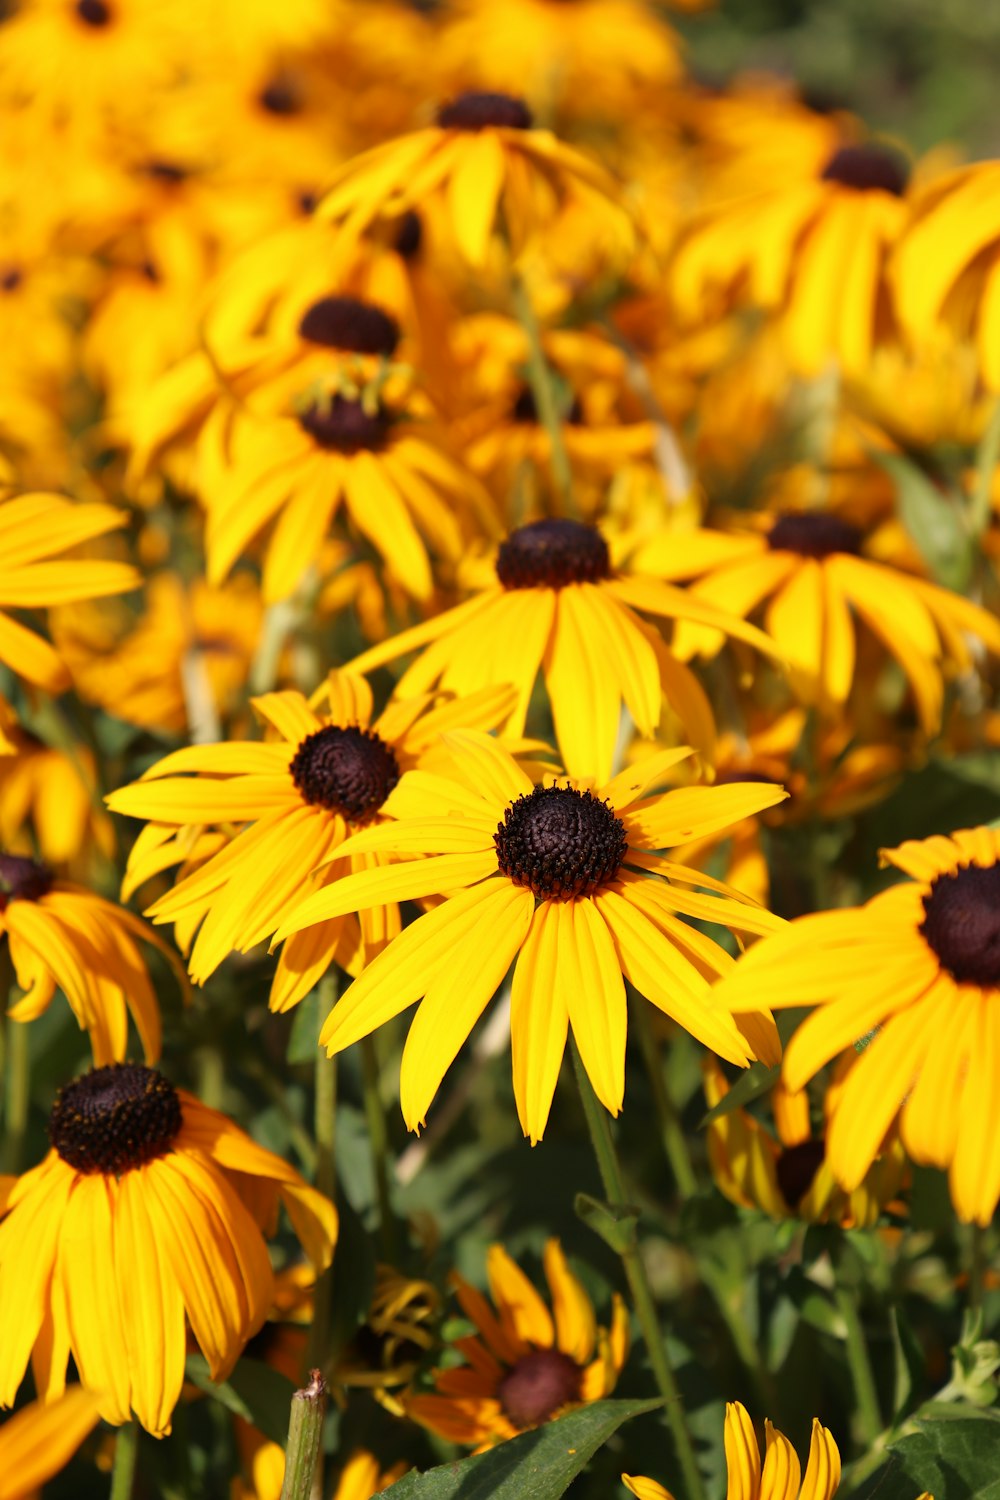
x=917, y=965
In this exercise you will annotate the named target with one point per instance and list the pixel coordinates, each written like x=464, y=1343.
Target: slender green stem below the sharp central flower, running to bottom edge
x=635, y=1268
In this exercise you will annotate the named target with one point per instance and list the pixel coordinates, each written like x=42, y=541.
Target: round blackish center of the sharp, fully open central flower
x=560, y=844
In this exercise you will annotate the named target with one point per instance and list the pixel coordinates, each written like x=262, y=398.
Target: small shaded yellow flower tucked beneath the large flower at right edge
x=786, y=1174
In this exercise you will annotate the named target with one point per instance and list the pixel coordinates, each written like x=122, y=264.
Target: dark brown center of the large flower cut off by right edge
x=962, y=923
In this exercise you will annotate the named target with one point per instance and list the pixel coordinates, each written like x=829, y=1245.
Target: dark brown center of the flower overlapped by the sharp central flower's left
x=350, y=772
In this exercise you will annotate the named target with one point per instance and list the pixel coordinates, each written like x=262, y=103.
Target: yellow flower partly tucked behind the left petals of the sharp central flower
x=301, y=796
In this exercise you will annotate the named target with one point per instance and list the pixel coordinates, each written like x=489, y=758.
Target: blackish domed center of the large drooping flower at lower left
x=113, y=1120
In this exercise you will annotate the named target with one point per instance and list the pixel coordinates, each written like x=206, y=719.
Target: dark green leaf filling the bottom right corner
x=954, y=1457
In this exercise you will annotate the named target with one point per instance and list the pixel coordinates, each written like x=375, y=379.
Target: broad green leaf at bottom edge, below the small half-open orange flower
x=536, y=1466
